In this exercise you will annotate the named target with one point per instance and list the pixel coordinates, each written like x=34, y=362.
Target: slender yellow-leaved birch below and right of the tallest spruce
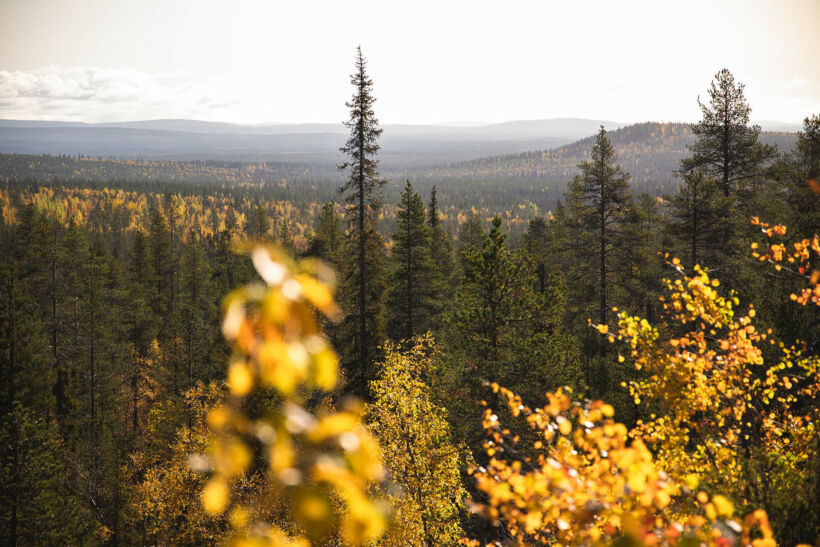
x=417, y=447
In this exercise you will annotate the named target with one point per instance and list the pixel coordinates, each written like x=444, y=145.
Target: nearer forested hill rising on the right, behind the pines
x=650, y=152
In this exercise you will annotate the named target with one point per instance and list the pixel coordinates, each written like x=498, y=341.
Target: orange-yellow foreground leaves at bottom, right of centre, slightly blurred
x=582, y=481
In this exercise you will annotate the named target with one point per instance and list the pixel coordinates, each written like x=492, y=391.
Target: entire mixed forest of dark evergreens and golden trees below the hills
x=207, y=352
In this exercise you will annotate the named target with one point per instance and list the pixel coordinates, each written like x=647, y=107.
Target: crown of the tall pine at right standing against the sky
x=727, y=148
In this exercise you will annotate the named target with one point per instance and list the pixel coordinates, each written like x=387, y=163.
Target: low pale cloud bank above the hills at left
x=98, y=94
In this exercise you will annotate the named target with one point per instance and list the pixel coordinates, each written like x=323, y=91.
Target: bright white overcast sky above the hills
x=262, y=61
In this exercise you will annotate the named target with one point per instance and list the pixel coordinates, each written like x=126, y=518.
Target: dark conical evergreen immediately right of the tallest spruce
x=410, y=297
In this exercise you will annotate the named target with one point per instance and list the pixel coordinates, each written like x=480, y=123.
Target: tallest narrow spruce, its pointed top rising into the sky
x=363, y=289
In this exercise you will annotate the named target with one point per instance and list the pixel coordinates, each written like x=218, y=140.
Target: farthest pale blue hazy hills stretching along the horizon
x=404, y=147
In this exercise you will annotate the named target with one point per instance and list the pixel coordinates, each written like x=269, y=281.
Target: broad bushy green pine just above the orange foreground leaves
x=504, y=329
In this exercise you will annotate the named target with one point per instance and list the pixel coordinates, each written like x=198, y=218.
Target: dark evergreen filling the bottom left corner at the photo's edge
x=36, y=505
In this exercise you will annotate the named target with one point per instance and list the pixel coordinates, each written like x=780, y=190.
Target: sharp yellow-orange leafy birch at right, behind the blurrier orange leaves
x=704, y=373
